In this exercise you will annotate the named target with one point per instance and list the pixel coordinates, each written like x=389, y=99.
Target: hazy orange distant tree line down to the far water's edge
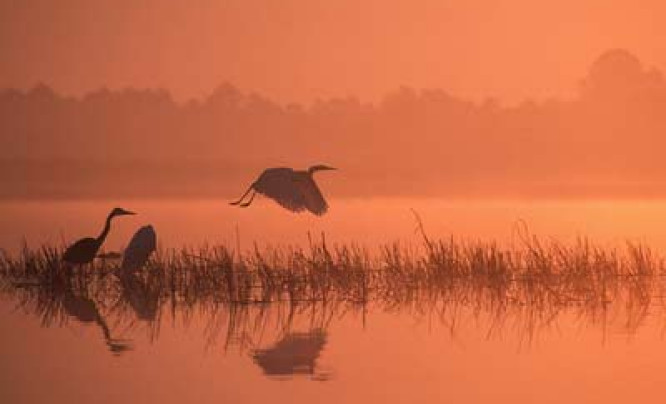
x=606, y=141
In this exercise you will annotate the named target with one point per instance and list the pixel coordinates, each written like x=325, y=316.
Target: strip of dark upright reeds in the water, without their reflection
x=535, y=270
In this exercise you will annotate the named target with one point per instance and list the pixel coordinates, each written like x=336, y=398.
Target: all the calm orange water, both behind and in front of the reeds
x=138, y=349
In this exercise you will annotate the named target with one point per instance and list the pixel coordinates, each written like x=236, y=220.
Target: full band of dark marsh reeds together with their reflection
x=529, y=286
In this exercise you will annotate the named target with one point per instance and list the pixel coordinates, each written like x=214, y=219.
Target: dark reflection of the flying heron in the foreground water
x=294, y=354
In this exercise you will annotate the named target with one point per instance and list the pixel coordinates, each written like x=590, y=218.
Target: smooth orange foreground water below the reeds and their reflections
x=391, y=357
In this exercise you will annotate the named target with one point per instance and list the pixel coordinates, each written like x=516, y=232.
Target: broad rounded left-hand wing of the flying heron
x=281, y=185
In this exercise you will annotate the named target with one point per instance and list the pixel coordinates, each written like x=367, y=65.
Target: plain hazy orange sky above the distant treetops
x=296, y=50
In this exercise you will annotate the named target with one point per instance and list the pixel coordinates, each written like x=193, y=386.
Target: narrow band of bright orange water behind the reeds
x=369, y=222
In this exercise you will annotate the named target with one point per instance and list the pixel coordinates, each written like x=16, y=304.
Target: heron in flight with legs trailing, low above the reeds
x=293, y=190
